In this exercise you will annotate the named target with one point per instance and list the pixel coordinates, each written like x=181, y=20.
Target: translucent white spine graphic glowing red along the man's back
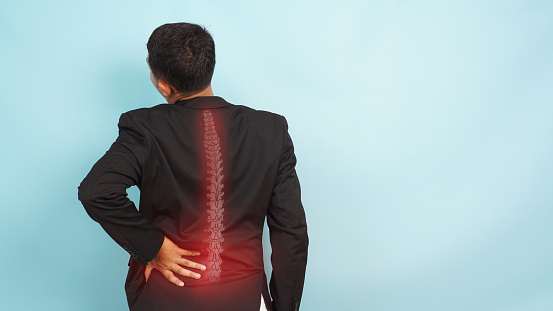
x=215, y=201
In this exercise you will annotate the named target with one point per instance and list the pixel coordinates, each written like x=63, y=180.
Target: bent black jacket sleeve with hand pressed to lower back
x=104, y=196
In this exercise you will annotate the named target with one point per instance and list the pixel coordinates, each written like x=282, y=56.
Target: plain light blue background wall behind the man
x=423, y=132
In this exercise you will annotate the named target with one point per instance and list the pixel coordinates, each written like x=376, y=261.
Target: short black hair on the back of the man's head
x=183, y=55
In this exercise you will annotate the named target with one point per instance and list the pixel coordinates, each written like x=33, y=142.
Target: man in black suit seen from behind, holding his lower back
x=209, y=172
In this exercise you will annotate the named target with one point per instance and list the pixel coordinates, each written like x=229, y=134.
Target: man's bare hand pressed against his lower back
x=169, y=260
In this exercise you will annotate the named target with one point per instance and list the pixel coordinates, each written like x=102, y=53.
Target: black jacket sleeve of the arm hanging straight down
x=288, y=232
